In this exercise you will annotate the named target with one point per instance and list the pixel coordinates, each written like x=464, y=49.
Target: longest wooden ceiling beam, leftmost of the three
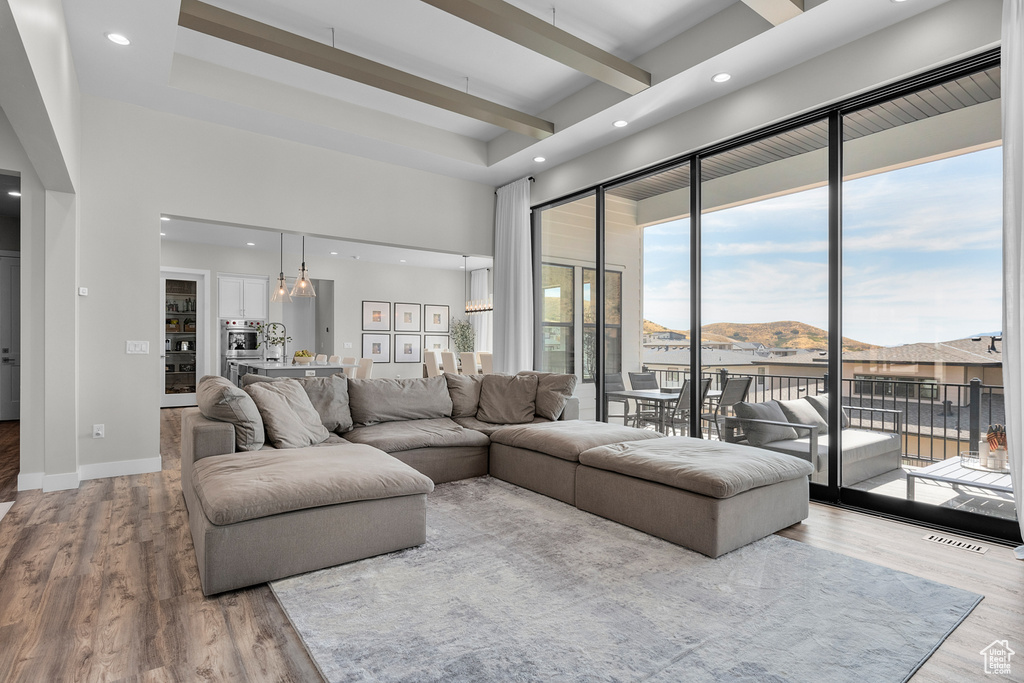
x=272, y=40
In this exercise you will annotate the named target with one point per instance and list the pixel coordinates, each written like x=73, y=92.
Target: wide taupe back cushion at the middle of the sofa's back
x=390, y=401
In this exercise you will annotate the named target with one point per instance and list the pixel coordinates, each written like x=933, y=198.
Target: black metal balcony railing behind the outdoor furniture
x=940, y=420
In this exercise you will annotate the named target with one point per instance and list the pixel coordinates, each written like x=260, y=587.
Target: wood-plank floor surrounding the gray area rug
x=100, y=584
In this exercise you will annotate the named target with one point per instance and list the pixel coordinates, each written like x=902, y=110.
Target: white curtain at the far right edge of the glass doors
x=1013, y=244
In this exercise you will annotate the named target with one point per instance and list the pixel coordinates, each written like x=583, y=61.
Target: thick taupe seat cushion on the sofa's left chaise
x=249, y=486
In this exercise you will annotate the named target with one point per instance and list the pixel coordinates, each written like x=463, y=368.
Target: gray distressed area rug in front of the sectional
x=514, y=586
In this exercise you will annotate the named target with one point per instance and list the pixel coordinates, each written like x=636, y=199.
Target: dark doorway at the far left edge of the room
x=11, y=335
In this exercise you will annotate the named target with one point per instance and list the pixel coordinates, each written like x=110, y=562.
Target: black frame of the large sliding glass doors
x=922, y=514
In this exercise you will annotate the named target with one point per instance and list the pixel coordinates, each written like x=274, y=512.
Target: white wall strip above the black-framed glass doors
x=950, y=32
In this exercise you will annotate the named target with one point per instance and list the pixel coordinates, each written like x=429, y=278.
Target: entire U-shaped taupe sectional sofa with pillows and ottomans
x=292, y=476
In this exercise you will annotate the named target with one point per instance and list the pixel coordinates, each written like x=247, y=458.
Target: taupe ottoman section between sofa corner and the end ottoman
x=544, y=457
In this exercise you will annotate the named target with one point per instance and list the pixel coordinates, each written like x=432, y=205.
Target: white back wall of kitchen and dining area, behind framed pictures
x=354, y=283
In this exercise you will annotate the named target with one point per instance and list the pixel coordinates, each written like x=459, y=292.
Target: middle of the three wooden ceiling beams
x=527, y=30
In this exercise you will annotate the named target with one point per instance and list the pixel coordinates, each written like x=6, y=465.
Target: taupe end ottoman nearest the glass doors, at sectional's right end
x=707, y=496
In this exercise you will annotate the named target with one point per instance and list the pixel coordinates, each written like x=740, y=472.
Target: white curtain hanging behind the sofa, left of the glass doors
x=514, y=280
